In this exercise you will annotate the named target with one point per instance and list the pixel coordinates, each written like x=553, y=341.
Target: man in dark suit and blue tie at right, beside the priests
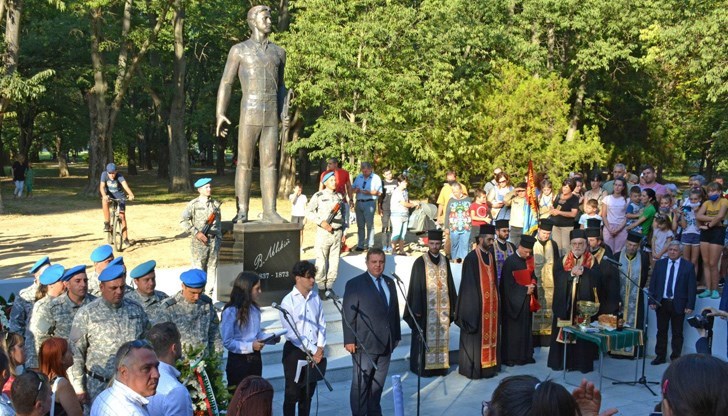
x=673, y=285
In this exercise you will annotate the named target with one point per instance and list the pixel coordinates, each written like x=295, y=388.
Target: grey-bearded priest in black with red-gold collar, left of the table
x=576, y=278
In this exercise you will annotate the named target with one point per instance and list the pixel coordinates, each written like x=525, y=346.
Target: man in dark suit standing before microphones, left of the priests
x=372, y=310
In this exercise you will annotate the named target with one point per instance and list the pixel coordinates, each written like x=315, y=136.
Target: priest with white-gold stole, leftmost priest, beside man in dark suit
x=431, y=296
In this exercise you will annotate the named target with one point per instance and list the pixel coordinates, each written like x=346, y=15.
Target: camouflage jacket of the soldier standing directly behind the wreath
x=197, y=322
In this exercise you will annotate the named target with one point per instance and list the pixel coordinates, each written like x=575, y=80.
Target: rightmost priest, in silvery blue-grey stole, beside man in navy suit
x=634, y=263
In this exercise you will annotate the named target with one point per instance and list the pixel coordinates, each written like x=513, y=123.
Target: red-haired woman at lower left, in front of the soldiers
x=55, y=359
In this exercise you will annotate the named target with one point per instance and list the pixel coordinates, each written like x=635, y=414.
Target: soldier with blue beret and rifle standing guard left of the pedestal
x=205, y=247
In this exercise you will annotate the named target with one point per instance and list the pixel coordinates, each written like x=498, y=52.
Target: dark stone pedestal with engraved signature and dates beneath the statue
x=267, y=249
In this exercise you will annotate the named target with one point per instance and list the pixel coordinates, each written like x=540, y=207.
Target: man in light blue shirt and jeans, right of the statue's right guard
x=367, y=189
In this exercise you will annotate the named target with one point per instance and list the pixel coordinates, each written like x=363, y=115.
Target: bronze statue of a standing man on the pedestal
x=259, y=64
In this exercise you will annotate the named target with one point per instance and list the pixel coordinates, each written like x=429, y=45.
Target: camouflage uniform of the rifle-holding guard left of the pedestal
x=194, y=217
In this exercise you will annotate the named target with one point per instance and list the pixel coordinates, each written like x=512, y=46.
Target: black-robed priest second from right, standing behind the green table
x=608, y=272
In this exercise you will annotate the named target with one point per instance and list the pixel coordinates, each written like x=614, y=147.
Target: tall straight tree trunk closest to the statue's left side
x=179, y=167
